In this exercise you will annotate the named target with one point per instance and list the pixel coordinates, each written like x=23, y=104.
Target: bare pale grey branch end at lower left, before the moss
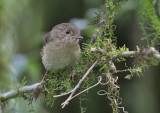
x=15, y=93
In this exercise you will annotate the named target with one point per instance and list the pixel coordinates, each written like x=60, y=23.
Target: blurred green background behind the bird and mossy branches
x=23, y=23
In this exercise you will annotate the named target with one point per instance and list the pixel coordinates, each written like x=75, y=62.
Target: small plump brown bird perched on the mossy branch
x=61, y=47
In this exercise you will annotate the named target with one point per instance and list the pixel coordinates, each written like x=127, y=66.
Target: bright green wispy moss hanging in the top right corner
x=149, y=23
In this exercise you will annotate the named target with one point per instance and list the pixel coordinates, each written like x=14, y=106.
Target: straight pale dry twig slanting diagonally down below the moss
x=78, y=85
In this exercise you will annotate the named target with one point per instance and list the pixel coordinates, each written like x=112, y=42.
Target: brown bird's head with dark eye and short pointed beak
x=65, y=32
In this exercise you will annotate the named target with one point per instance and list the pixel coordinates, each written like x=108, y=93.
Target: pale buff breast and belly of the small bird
x=57, y=55
